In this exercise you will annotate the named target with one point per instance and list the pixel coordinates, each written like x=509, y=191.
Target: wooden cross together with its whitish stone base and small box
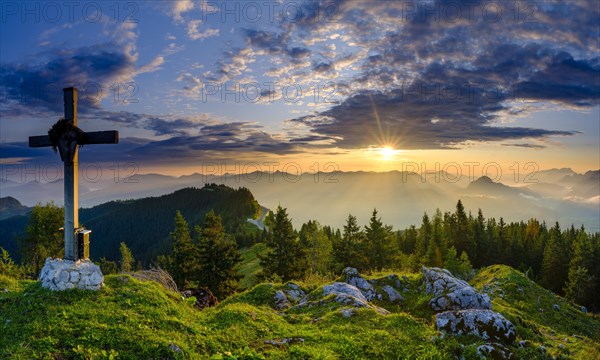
x=67, y=137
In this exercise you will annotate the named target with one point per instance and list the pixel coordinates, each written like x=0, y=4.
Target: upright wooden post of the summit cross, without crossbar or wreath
x=71, y=181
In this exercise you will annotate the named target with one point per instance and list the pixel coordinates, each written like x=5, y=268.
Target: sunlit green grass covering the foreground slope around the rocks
x=130, y=319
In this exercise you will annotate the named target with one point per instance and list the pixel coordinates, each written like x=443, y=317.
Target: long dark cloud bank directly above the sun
x=410, y=120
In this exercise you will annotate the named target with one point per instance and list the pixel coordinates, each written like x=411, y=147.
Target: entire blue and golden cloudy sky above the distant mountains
x=366, y=85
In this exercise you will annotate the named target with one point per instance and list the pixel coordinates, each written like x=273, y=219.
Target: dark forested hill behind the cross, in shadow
x=144, y=224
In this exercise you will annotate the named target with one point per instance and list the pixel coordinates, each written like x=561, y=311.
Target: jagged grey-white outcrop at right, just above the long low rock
x=451, y=293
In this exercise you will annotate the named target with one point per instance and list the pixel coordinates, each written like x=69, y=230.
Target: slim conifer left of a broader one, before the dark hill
x=184, y=262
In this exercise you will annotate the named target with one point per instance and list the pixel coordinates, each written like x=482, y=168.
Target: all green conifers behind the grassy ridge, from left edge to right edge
x=565, y=261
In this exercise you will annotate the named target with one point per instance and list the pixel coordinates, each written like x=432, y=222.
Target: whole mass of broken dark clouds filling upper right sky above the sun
x=427, y=81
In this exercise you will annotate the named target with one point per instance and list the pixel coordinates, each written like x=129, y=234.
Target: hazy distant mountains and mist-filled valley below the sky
x=400, y=197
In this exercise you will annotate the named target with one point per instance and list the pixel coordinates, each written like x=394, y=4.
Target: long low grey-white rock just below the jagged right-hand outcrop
x=487, y=324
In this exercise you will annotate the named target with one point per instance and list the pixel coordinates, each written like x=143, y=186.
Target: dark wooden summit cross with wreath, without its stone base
x=66, y=136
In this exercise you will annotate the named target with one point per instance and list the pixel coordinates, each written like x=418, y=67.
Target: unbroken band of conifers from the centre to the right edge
x=566, y=262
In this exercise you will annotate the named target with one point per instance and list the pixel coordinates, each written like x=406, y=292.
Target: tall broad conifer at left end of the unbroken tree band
x=284, y=257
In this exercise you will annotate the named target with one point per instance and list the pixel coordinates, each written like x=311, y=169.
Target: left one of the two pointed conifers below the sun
x=347, y=248
